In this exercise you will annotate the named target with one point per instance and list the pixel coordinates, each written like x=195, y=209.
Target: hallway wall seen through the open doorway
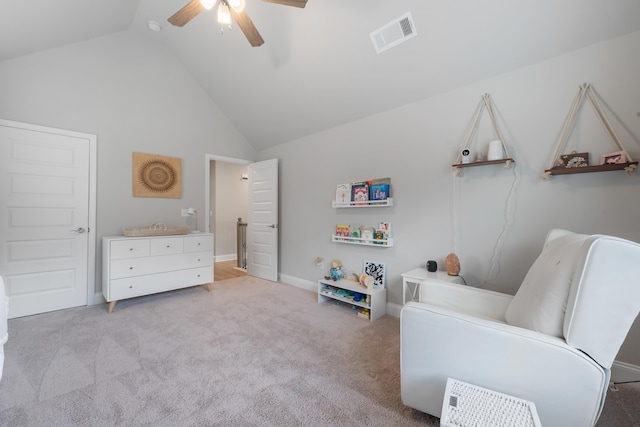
x=231, y=200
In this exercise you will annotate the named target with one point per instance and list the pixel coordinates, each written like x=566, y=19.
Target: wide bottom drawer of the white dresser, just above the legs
x=154, y=283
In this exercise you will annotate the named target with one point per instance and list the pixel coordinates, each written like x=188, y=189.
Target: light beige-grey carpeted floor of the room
x=249, y=353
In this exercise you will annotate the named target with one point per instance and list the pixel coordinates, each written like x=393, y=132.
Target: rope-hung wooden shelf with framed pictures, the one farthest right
x=586, y=91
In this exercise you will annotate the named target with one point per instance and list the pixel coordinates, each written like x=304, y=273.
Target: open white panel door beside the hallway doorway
x=262, y=224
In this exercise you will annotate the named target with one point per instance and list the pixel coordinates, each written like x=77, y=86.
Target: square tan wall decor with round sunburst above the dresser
x=157, y=176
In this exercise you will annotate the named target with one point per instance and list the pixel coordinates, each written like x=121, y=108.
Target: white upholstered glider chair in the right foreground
x=553, y=343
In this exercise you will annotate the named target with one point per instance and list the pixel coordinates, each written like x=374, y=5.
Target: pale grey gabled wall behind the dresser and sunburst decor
x=135, y=97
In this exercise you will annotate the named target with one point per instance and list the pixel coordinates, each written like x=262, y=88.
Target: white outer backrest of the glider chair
x=604, y=297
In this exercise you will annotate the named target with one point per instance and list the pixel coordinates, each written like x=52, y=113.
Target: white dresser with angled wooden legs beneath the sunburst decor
x=135, y=266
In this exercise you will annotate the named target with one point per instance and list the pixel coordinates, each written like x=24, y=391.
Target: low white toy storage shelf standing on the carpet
x=340, y=290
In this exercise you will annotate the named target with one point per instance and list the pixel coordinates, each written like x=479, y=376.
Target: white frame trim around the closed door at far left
x=92, y=297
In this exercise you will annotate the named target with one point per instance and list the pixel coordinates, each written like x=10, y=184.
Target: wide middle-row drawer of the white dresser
x=141, y=266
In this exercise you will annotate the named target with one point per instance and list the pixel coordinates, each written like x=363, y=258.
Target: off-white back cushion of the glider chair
x=541, y=301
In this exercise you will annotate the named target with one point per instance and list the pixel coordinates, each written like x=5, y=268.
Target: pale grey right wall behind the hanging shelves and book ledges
x=490, y=210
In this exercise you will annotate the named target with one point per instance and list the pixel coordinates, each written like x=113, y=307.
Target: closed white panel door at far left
x=44, y=218
